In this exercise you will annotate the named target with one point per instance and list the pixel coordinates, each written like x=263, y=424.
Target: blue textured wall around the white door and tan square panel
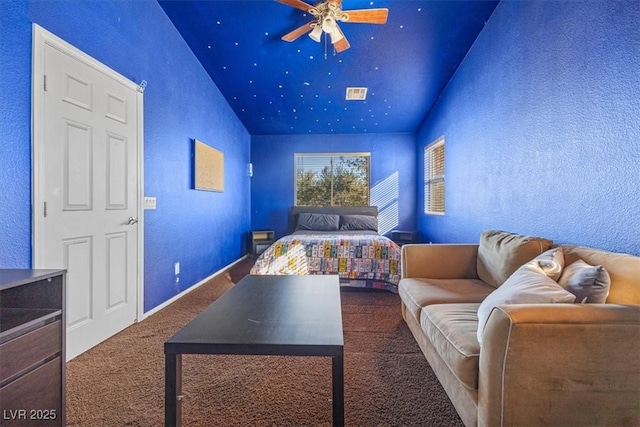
x=202, y=230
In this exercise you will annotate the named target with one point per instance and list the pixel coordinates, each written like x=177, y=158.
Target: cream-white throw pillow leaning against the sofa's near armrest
x=529, y=284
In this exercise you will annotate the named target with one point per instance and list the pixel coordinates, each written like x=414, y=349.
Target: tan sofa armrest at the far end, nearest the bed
x=439, y=261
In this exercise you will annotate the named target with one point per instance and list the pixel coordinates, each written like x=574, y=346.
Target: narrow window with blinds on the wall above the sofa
x=434, y=177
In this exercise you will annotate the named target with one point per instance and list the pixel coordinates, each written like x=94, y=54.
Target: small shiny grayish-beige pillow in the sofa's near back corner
x=587, y=282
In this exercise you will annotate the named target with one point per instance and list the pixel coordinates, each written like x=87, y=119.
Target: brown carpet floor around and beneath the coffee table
x=388, y=382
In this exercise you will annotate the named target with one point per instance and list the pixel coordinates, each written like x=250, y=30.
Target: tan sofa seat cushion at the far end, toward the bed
x=416, y=293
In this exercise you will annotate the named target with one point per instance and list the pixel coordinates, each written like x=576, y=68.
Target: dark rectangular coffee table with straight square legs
x=264, y=315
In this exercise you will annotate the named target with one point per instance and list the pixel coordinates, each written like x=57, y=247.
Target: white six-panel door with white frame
x=86, y=148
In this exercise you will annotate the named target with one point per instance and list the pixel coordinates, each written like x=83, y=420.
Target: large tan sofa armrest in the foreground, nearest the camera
x=560, y=364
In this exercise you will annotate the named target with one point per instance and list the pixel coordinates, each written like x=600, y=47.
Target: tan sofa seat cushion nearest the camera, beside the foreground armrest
x=451, y=329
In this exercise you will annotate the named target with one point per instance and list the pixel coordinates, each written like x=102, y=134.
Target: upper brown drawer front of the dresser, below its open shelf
x=26, y=350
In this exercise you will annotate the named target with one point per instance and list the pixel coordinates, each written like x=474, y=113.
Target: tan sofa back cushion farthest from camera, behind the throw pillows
x=501, y=253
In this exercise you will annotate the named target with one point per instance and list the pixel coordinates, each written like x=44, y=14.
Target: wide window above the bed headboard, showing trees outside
x=332, y=179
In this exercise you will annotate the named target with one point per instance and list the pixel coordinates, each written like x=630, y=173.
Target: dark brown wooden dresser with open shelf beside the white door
x=32, y=347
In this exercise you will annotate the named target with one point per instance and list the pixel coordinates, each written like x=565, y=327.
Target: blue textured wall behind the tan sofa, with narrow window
x=542, y=127
